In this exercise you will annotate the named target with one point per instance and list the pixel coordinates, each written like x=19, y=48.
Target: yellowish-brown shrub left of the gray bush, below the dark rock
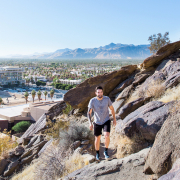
x=54, y=129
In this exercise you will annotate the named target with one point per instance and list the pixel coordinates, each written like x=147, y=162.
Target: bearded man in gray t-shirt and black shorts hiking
x=99, y=105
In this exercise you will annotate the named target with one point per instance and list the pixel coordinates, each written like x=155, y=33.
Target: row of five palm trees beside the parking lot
x=39, y=93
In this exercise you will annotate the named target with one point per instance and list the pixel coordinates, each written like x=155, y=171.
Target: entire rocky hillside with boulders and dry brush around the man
x=144, y=144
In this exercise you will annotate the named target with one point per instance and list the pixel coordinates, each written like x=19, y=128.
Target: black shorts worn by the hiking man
x=98, y=128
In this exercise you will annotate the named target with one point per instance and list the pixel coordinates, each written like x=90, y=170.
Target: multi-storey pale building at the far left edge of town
x=11, y=75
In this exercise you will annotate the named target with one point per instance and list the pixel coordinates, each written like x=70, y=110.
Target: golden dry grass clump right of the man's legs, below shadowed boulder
x=126, y=146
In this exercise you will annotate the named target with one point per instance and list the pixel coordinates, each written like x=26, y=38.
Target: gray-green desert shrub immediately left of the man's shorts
x=75, y=132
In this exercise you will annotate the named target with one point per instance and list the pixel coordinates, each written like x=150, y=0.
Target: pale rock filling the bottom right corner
x=174, y=173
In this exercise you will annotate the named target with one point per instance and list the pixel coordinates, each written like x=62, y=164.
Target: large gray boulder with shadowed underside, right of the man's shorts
x=146, y=120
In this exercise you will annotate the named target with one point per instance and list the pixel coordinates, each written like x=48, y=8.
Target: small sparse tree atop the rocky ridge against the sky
x=158, y=41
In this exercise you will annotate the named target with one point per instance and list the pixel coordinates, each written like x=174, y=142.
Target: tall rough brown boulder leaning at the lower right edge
x=166, y=148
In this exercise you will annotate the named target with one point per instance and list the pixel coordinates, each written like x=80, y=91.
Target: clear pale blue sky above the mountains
x=40, y=26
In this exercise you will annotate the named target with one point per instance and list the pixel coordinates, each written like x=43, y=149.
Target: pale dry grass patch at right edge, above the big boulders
x=171, y=94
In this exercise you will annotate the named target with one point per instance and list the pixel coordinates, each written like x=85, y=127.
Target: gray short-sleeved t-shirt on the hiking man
x=100, y=108
